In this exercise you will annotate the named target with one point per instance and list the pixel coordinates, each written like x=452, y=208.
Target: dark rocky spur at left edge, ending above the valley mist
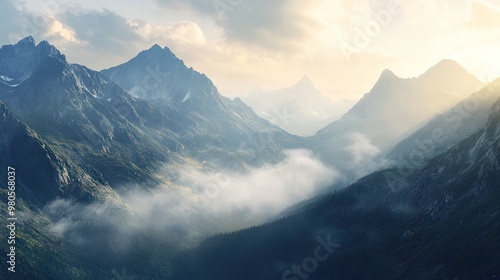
x=44, y=174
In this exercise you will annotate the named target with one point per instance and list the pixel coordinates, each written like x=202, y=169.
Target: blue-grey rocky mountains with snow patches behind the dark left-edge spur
x=94, y=121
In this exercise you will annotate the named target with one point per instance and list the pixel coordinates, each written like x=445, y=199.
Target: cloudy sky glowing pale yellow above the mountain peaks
x=342, y=45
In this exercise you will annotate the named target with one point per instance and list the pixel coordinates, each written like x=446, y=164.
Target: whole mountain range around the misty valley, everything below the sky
x=99, y=155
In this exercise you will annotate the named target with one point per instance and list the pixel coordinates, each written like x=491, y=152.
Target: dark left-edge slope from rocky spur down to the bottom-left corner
x=42, y=174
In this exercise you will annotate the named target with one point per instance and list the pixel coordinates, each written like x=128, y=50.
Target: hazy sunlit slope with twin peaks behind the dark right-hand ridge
x=393, y=109
